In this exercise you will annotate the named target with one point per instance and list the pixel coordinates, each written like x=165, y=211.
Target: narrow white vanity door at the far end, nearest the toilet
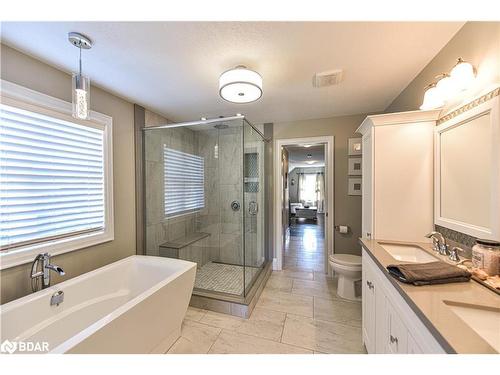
x=368, y=308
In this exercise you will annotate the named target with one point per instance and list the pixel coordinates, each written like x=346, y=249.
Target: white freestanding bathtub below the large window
x=135, y=305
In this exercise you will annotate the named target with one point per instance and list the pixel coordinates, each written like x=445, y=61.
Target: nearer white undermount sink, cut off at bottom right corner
x=484, y=320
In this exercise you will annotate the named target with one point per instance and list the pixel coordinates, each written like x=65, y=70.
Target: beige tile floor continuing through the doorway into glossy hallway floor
x=297, y=313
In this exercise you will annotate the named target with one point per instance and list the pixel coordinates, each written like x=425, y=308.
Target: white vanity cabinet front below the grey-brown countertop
x=390, y=326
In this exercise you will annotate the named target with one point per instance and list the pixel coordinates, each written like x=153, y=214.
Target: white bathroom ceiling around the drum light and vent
x=173, y=67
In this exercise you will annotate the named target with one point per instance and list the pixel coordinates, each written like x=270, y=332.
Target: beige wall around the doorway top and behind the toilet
x=347, y=208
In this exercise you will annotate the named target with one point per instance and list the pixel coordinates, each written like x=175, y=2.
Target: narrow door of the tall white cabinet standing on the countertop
x=367, y=183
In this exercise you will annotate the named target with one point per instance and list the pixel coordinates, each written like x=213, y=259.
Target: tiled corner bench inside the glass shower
x=192, y=247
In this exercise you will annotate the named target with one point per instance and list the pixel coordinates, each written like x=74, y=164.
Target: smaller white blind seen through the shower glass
x=184, y=182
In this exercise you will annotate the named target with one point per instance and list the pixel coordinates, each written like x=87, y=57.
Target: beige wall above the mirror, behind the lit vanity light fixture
x=476, y=42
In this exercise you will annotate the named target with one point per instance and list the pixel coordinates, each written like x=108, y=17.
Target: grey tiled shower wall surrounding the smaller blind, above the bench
x=158, y=228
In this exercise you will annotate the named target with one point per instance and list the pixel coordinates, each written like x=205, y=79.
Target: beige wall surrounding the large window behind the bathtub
x=21, y=69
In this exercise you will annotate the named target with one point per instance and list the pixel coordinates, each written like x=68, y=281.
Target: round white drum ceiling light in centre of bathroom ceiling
x=240, y=85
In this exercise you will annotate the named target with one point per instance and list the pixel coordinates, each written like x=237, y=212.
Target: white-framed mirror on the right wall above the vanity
x=467, y=172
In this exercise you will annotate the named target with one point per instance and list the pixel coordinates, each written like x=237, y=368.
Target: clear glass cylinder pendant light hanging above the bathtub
x=80, y=83
